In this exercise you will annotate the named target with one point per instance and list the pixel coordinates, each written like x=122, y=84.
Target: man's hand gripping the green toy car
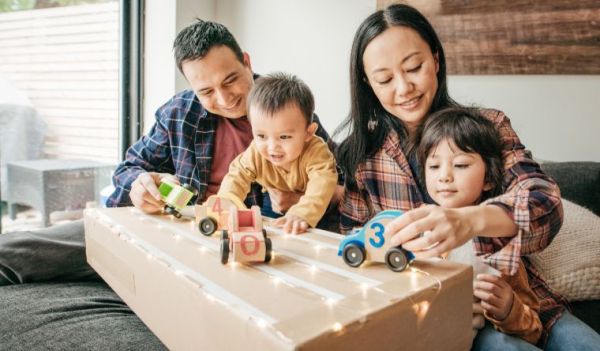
x=144, y=191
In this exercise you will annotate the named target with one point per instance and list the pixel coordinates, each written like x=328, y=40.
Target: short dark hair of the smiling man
x=195, y=40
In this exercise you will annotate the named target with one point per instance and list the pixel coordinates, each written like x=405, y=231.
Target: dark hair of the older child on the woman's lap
x=471, y=133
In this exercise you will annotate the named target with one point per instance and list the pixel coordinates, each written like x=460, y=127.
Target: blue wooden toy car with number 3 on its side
x=369, y=243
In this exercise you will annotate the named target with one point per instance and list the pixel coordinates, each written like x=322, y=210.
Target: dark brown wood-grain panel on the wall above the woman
x=516, y=37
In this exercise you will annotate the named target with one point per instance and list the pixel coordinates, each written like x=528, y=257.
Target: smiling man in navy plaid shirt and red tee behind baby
x=196, y=126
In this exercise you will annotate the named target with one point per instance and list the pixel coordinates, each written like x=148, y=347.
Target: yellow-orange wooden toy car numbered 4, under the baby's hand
x=213, y=215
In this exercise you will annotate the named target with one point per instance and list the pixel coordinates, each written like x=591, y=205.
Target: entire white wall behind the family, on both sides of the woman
x=557, y=117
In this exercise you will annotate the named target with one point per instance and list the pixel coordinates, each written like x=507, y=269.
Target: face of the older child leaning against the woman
x=454, y=178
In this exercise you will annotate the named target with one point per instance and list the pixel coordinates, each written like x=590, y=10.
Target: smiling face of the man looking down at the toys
x=220, y=81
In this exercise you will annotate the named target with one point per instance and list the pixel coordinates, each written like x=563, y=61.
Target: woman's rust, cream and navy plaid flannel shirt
x=385, y=181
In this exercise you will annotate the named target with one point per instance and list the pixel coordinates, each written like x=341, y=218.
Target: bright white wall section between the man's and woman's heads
x=310, y=38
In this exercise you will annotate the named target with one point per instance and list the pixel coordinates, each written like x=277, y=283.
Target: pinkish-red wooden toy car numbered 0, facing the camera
x=245, y=240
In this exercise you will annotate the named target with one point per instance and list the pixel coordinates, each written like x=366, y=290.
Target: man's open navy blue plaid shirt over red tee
x=181, y=142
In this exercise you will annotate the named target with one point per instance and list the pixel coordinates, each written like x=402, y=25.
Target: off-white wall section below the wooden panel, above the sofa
x=556, y=117
